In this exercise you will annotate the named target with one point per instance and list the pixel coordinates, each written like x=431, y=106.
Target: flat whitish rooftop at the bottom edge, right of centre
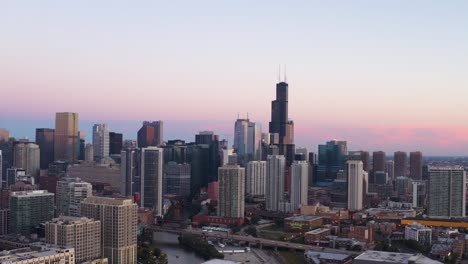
x=393, y=258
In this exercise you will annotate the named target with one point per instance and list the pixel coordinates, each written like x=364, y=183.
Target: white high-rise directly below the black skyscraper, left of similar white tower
x=274, y=194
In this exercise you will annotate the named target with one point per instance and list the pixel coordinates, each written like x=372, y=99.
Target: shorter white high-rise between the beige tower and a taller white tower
x=256, y=178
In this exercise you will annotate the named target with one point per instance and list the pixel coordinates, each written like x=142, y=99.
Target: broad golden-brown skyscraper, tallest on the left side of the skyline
x=66, y=141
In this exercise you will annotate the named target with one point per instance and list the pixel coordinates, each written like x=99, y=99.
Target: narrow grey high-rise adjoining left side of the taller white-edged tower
x=129, y=169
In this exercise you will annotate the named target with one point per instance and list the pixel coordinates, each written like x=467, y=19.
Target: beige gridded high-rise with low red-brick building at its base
x=231, y=180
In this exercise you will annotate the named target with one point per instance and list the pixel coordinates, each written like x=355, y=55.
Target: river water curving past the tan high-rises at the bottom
x=169, y=244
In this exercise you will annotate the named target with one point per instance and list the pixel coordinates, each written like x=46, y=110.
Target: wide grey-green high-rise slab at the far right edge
x=446, y=192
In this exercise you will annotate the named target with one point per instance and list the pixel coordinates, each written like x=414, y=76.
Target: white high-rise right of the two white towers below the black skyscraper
x=299, y=184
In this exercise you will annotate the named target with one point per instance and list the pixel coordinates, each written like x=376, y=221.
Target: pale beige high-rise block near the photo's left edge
x=27, y=156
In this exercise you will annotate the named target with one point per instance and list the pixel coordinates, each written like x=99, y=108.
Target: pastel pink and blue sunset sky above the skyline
x=383, y=75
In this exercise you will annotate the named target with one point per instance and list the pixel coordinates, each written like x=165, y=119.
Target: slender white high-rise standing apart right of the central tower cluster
x=355, y=185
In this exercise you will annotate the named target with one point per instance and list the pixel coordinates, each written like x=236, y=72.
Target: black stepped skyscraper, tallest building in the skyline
x=281, y=128
